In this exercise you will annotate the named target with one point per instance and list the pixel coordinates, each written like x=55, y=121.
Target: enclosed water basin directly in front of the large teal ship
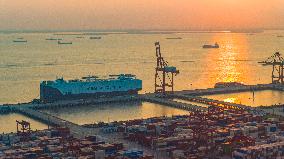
x=114, y=112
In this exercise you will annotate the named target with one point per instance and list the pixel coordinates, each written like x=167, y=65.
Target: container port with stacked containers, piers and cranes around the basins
x=217, y=129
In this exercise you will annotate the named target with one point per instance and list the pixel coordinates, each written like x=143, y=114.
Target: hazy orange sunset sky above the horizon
x=140, y=14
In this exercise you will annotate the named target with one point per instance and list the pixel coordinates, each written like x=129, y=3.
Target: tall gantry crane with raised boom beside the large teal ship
x=164, y=77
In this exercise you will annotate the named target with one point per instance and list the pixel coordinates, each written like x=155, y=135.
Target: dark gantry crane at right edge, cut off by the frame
x=277, y=62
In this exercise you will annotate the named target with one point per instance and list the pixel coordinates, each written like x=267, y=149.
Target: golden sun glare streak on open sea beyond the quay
x=228, y=58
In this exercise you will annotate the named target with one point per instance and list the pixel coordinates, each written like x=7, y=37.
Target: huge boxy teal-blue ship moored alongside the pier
x=91, y=86
